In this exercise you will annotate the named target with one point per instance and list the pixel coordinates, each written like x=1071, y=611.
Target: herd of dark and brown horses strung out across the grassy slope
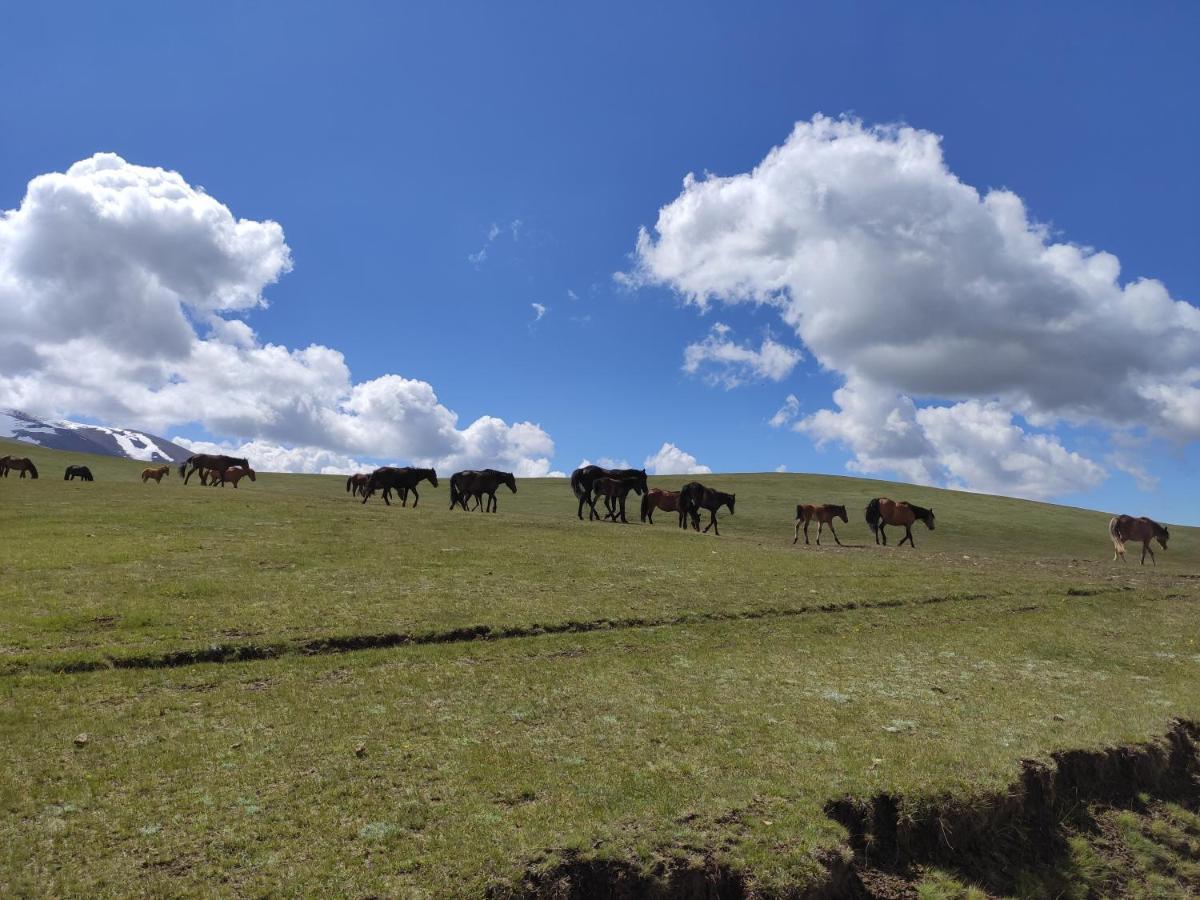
x=591, y=485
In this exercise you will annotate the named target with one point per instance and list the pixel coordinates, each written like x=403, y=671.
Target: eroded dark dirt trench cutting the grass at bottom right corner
x=999, y=843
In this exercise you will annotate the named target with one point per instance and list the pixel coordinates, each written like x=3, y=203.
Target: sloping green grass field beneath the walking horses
x=542, y=698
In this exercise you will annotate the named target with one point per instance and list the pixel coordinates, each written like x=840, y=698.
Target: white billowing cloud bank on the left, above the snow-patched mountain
x=121, y=287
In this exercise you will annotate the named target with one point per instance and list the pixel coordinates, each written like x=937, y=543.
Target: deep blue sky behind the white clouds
x=388, y=142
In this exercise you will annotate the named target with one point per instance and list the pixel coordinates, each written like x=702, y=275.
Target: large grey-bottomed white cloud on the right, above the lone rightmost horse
x=914, y=285
